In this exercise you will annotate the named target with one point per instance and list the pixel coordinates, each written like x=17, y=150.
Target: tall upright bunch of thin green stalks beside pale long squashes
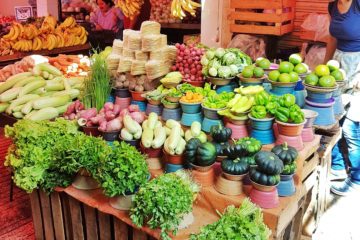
x=97, y=86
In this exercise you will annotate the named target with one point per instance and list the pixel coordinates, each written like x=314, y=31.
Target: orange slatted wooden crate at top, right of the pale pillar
x=247, y=16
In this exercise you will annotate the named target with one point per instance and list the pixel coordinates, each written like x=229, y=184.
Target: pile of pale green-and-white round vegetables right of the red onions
x=224, y=63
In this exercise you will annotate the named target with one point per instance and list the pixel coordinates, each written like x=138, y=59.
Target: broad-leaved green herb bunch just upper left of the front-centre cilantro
x=123, y=171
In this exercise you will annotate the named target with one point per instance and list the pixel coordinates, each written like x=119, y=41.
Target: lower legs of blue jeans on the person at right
x=351, y=134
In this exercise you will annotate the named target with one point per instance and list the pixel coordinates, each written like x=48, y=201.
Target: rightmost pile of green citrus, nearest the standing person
x=325, y=75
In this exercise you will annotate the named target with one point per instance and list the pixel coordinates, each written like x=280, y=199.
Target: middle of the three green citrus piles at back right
x=289, y=71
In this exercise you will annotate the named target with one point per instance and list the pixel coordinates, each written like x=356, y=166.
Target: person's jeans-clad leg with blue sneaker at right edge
x=351, y=132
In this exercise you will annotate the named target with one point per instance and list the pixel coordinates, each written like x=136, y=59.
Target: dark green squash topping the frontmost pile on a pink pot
x=269, y=163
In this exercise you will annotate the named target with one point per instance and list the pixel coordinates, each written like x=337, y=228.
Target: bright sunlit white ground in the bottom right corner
x=341, y=220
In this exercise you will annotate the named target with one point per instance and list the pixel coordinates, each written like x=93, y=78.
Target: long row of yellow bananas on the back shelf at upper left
x=49, y=36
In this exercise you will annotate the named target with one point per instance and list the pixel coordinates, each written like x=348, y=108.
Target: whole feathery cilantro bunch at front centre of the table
x=163, y=202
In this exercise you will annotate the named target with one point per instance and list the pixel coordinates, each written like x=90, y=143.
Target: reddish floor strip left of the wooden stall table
x=15, y=219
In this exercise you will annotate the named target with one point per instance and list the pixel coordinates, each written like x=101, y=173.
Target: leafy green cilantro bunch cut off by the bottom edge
x=243, y=223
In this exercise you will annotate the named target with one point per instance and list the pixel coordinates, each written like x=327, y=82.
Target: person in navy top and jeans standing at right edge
x=344, y=46
